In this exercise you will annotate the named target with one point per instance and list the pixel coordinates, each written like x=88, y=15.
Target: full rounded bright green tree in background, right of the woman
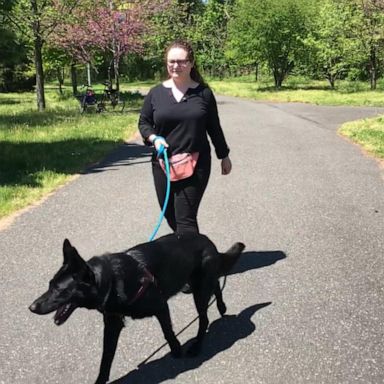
x=270, y=31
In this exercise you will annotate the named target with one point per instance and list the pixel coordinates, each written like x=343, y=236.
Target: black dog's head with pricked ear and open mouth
x=71, y=287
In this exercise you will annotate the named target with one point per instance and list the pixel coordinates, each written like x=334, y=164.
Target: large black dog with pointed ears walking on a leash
x=138, y=283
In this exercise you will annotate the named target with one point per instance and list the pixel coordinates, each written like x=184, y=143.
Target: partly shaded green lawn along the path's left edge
x=41, y=151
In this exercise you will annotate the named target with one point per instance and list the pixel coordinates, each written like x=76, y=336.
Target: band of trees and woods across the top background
x=124, y=40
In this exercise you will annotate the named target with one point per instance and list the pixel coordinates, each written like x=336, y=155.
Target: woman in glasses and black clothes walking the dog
x=178, y=114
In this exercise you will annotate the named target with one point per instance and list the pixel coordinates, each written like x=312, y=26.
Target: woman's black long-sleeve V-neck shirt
x=183, y=124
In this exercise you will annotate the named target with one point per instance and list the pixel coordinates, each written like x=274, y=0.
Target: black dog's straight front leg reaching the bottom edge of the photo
x=113, y=324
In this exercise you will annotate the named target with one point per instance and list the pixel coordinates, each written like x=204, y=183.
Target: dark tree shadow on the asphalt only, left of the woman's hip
x=126, y=154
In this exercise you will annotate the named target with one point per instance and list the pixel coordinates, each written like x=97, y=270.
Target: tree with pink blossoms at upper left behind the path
x=112, y=27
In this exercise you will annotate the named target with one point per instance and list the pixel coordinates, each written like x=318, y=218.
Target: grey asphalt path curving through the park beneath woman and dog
x=305, y=303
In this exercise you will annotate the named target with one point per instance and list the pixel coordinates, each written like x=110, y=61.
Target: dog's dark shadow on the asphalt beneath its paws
x=222, y=334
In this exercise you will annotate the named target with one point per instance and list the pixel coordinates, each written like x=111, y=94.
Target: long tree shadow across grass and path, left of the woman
x=21, y=163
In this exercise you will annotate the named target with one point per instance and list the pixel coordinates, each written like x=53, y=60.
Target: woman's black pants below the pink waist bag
x=185, y=195
